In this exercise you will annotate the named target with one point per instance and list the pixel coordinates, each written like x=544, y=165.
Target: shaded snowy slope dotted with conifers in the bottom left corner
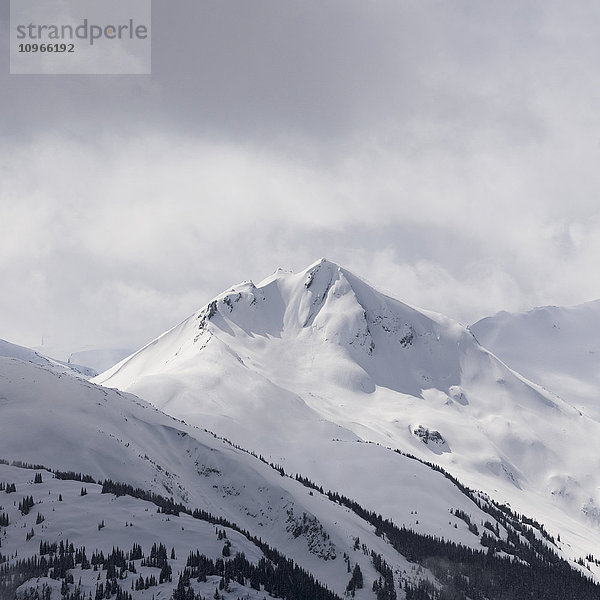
x=70, y=517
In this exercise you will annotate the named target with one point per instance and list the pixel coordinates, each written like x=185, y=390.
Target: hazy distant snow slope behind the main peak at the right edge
x=557, y=347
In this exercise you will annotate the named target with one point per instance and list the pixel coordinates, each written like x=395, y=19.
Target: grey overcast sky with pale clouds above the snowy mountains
x=448, y=152
